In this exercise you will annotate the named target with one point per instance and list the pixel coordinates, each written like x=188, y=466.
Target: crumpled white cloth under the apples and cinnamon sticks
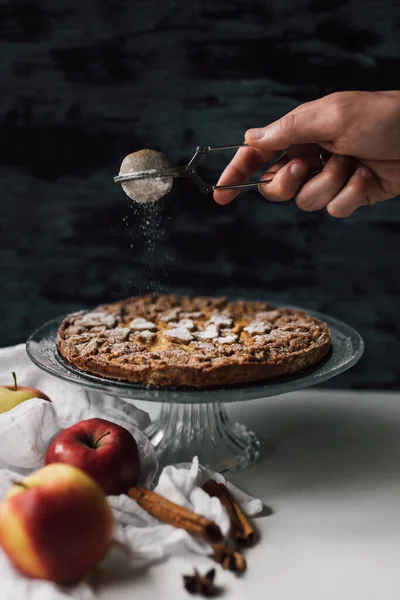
x=25, y=432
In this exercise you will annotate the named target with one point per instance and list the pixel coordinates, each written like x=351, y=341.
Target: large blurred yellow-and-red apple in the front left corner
x=56, y=524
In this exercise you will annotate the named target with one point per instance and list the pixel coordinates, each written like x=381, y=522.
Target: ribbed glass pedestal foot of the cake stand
x=182, y=431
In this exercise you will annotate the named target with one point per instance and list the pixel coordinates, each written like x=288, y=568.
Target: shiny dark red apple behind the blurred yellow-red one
x=104, y=450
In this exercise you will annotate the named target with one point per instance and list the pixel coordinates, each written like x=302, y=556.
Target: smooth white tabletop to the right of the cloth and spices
x=333, y=483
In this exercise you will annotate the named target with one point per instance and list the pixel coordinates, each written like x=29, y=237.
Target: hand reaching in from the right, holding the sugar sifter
x=360, y=129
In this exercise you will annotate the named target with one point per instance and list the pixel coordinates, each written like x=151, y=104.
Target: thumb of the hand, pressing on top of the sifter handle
x=310, y=123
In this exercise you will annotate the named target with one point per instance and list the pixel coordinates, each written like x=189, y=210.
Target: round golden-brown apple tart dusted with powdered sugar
x=167, y=340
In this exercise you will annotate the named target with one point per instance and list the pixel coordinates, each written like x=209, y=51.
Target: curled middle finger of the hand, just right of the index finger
x=286, y=182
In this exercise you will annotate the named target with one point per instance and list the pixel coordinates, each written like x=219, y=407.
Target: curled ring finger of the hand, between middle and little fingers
x=322, y=188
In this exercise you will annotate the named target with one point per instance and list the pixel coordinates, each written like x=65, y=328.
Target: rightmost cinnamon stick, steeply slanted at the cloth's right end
x=242, y=531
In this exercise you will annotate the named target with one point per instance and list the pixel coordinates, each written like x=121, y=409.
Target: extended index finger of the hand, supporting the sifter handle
x=243, y=165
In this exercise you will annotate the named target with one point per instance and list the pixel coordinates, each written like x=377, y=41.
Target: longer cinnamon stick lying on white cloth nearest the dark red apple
x=168, y=512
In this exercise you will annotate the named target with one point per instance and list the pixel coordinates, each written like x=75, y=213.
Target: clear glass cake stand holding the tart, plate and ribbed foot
x=194, y=422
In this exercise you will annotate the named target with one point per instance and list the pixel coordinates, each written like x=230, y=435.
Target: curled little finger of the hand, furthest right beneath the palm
x=352, y=196
